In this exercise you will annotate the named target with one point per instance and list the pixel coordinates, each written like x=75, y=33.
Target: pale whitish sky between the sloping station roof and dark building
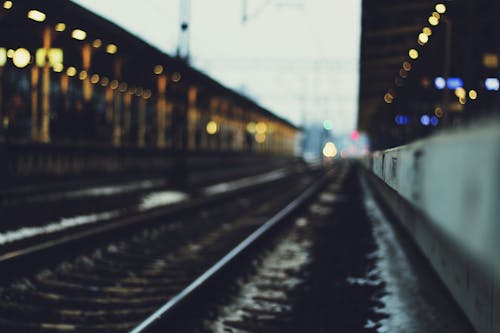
x=298, y=58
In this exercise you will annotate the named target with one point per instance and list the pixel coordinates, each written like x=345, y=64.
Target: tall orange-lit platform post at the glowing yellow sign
x=45, y=121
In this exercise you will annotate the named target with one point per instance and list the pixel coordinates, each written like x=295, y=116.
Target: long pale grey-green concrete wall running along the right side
x=446, y=192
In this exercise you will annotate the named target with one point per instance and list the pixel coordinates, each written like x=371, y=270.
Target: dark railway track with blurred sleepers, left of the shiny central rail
x=110, y=278
